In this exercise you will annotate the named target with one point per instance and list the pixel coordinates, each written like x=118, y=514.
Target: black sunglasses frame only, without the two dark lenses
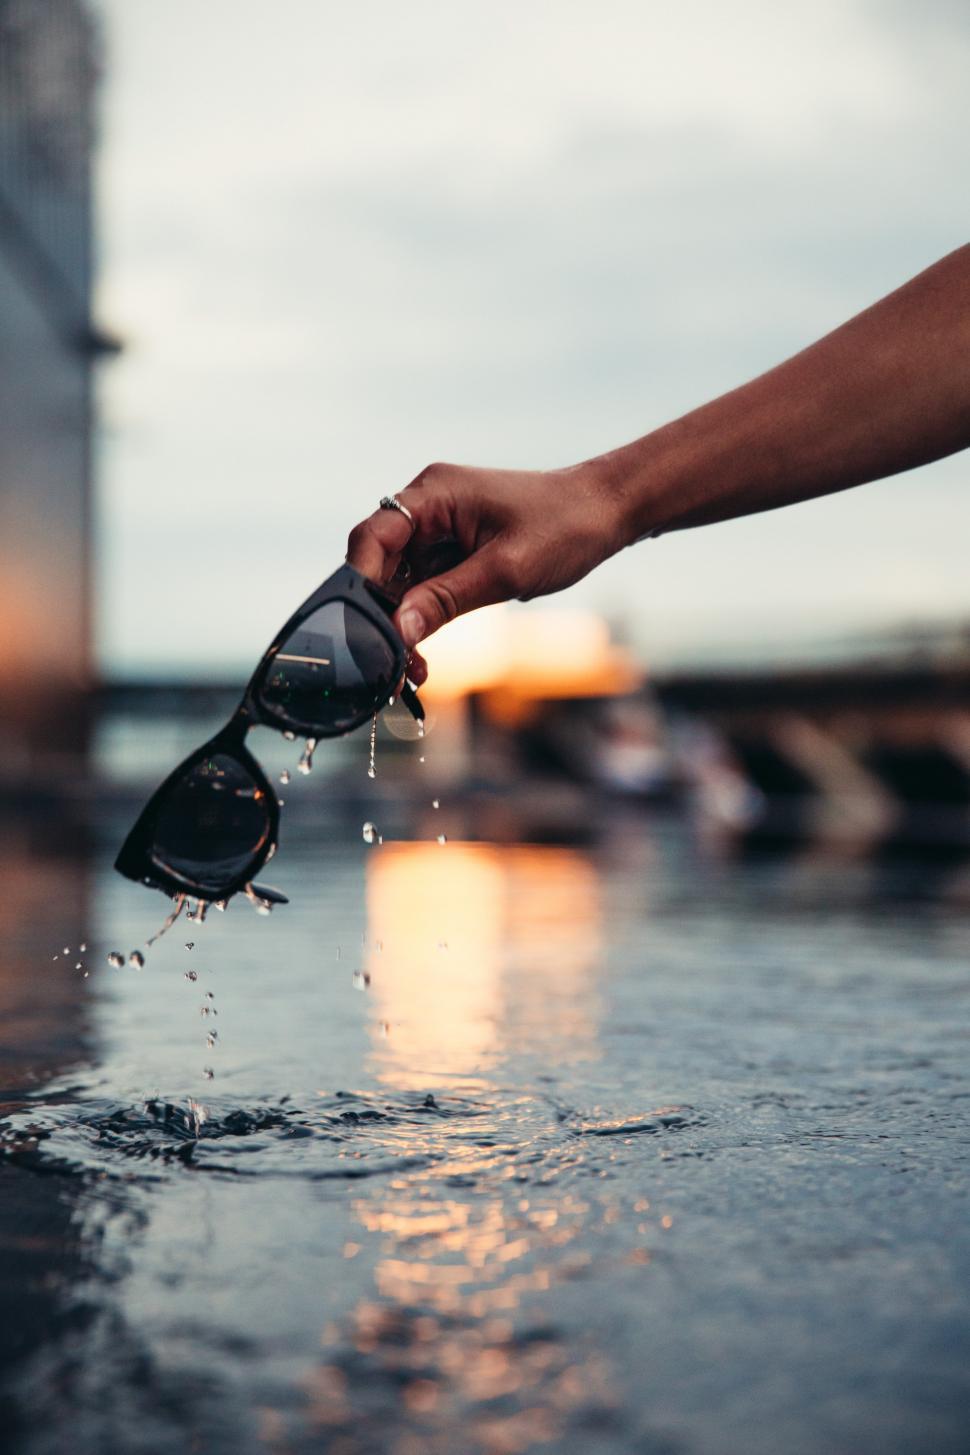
x=347, y=586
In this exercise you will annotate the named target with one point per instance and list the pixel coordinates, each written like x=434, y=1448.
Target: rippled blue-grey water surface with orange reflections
x=507, y=1147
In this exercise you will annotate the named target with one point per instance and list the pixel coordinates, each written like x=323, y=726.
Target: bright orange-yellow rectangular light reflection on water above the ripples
x=470, y=945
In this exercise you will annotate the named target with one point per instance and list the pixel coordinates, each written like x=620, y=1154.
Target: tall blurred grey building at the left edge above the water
x=49, y=69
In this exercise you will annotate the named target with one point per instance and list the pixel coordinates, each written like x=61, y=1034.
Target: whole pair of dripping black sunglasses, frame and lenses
x=215, y=823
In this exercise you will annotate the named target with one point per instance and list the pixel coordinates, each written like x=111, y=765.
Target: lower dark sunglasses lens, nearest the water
x=213, y=826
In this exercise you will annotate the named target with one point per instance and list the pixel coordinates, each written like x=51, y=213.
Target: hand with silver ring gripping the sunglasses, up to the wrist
x=504, y=535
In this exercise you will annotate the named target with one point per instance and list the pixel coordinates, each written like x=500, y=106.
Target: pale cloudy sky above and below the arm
x=341, y=242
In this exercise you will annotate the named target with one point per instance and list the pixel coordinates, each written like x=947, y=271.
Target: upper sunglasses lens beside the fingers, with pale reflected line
x=331, y=674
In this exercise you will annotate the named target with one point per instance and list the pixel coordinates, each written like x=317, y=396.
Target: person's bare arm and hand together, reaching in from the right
x=886, y=392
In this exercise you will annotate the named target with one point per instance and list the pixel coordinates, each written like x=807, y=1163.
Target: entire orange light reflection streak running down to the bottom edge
x=476, y=952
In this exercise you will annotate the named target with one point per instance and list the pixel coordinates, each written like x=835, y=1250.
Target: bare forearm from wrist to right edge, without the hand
x=886, y=392
